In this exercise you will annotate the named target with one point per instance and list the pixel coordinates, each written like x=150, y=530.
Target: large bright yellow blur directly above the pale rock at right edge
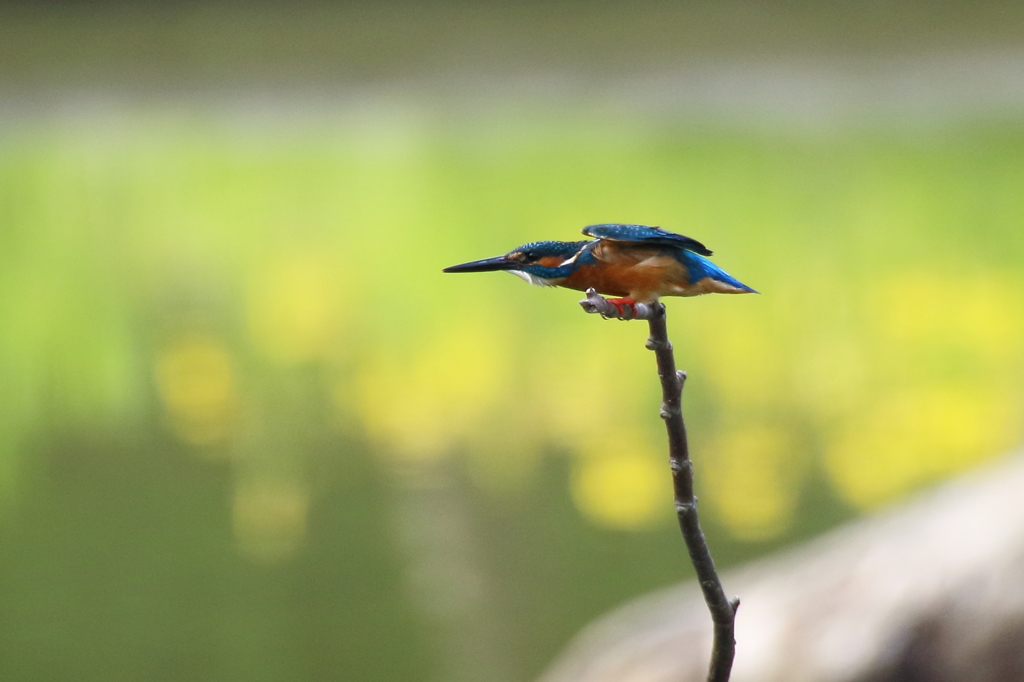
x=919, y=436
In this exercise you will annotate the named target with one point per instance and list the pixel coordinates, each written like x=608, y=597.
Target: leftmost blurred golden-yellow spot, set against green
x=196, y=385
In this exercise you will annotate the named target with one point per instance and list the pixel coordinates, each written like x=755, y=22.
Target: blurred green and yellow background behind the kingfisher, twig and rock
x=250, y=433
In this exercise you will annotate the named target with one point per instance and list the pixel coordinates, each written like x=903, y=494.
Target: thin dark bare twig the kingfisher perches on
x=723, y=611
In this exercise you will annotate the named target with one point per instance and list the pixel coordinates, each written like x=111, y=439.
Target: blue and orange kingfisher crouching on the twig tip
x=638, y=264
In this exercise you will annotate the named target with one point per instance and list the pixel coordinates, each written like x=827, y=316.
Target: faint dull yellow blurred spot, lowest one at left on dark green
x=270, y=519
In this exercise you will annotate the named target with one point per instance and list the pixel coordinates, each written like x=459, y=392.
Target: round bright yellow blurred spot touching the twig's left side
x=627, y=491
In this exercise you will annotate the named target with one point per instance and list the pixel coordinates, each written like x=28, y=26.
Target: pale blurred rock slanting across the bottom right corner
x=932, y=591
